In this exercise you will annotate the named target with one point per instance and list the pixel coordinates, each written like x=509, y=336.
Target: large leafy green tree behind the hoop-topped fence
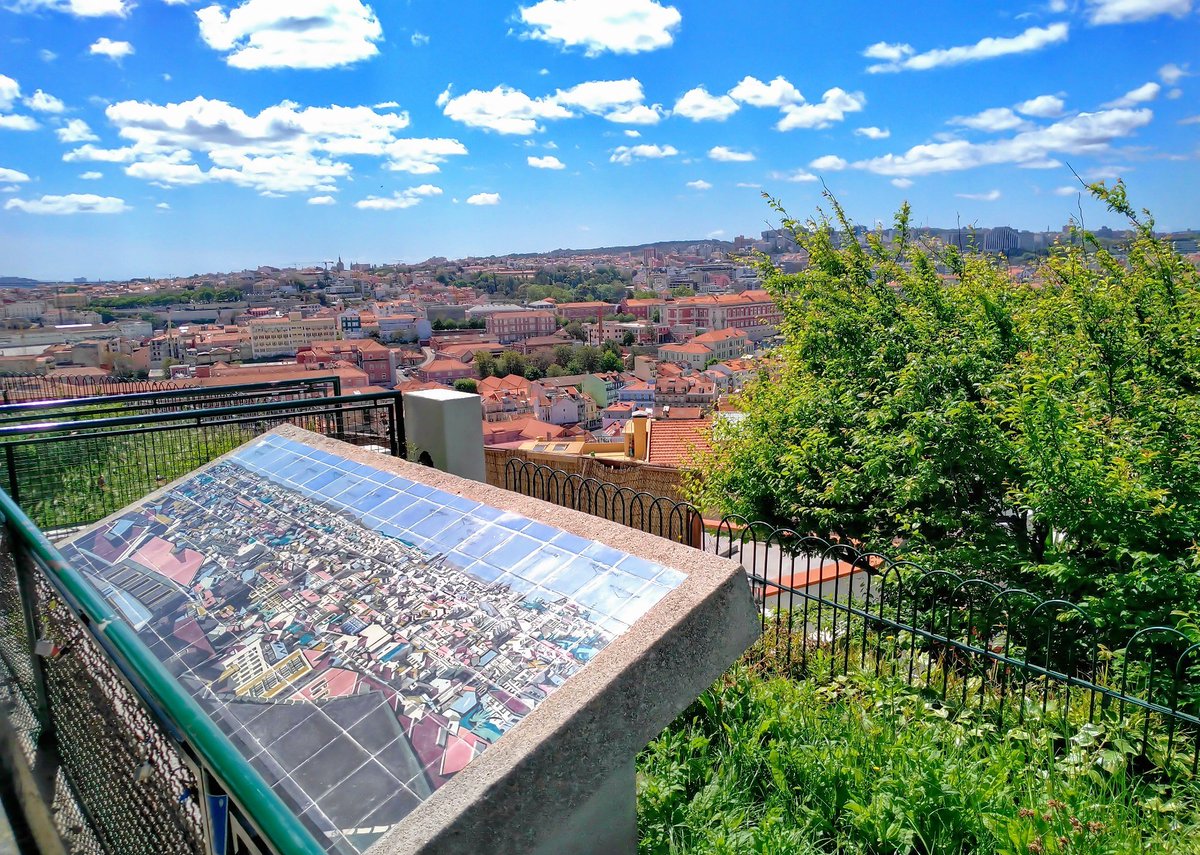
x=1043, y=435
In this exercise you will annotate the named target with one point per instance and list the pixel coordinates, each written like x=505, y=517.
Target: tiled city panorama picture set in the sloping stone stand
x=361, y=637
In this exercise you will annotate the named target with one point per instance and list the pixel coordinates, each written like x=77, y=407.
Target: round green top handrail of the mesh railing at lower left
x=261, y=805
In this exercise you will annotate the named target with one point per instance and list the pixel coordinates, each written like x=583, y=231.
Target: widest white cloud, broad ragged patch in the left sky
x=283, y=150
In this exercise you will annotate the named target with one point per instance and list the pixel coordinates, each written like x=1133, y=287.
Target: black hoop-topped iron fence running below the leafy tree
x=830, y=609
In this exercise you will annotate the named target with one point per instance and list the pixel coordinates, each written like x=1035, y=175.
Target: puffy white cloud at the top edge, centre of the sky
x=622, y=27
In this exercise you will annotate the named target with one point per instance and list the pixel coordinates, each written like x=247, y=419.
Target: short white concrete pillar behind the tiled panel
x=448, y=427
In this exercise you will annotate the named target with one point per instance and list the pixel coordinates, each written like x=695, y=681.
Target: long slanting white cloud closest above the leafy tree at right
x=1083, y=134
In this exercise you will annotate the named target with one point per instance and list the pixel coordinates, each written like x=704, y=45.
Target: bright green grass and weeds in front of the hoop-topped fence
x=863, y=766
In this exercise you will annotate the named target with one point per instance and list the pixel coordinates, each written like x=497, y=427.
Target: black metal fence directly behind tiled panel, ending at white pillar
x=70, y=474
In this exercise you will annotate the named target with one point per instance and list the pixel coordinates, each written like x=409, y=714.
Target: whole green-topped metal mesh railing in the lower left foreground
x=65, y=621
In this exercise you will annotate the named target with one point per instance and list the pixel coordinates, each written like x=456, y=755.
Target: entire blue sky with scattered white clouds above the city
x=165, y=137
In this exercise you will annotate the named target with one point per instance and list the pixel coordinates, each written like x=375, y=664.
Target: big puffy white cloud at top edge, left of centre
x=296, y=34
